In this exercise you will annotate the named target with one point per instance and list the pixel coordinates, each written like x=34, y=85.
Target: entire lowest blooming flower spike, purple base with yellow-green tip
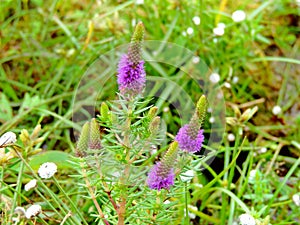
x=162, y=175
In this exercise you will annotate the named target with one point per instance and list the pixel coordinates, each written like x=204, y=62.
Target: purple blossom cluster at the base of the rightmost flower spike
x=187, y=142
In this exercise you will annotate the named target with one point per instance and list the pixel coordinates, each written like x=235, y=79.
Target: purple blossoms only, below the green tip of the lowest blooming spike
x=158, y=179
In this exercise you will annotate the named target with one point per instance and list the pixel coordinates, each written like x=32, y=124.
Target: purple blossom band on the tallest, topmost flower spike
x=131, y=76
